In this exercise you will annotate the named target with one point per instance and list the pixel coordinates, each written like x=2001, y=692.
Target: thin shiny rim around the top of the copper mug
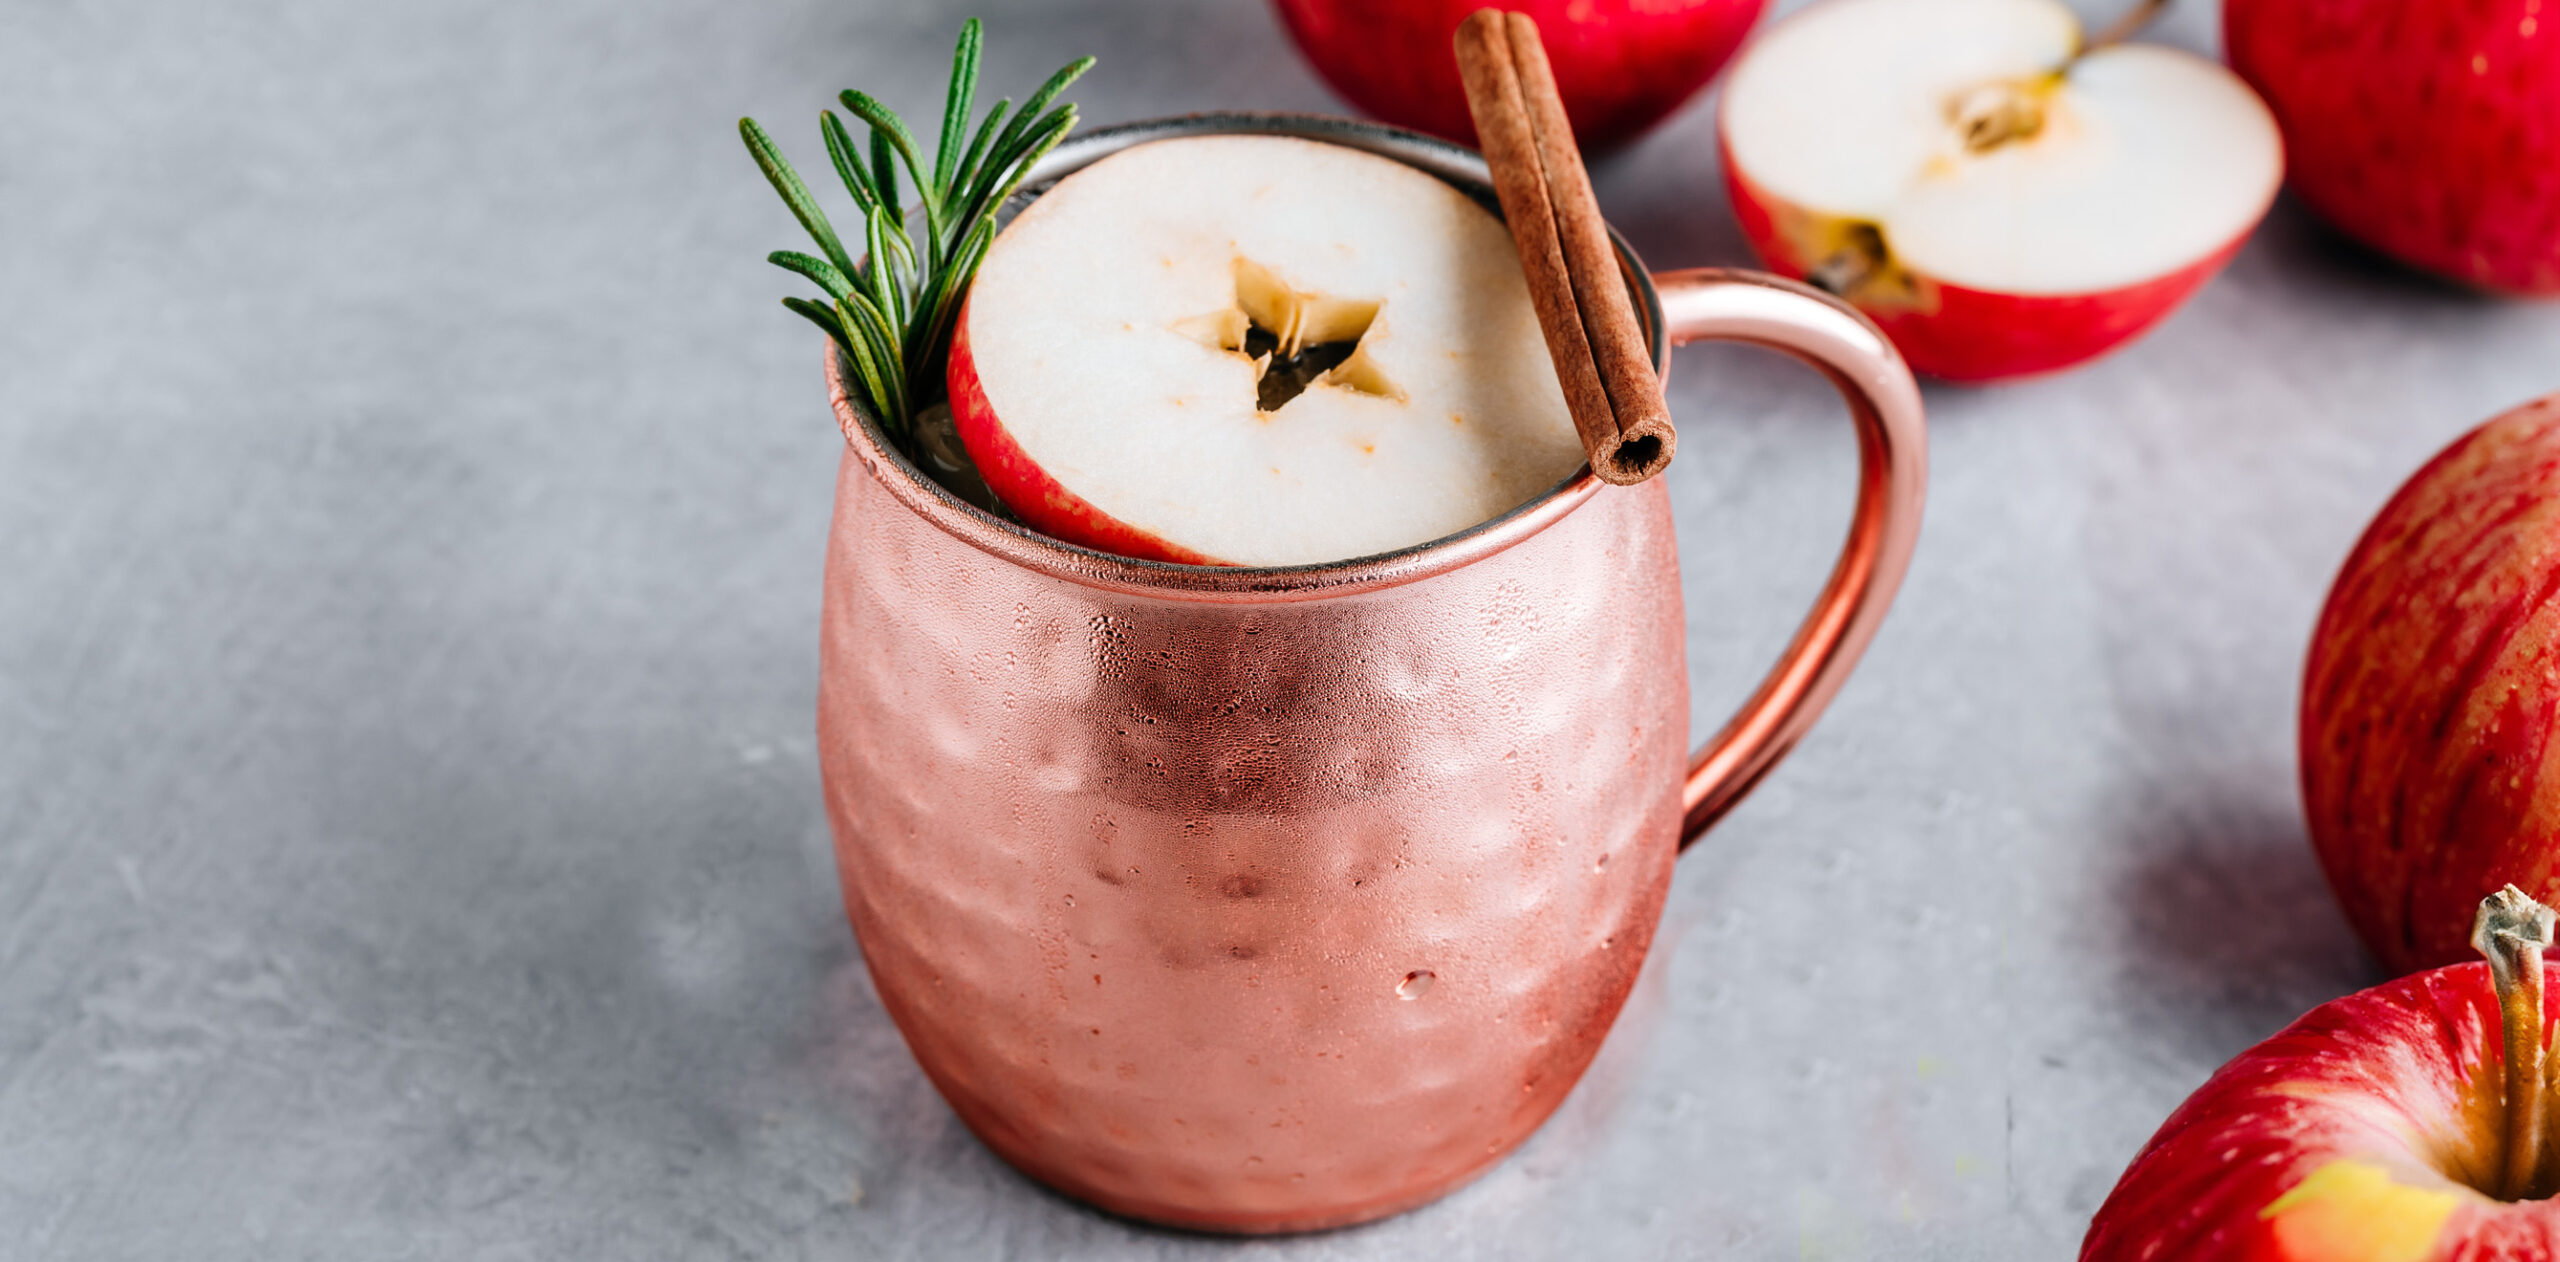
x=1240, y=585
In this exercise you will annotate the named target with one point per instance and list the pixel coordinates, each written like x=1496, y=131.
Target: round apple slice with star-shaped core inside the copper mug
x=1256, y=352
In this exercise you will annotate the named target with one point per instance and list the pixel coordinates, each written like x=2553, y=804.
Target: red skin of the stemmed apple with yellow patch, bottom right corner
x=2405, y=1076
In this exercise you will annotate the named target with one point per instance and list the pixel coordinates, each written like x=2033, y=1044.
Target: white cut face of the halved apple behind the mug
x=1983, y=152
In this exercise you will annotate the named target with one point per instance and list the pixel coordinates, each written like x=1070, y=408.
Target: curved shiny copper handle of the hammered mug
x=1755, y=308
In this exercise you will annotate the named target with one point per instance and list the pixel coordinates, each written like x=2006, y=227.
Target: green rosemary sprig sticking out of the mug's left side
x=895, y=308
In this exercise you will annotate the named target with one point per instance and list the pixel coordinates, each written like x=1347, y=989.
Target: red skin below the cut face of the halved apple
x=1980, y=337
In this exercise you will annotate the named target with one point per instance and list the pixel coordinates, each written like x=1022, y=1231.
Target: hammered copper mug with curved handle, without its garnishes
x=1271, y=900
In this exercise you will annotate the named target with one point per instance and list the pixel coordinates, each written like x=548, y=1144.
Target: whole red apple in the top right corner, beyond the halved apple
x=2426, y=129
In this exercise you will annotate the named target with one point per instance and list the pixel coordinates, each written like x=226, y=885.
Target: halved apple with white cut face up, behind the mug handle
x=1996, y=196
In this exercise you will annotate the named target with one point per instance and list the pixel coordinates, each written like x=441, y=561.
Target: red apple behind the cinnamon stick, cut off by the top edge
x=1622, y=65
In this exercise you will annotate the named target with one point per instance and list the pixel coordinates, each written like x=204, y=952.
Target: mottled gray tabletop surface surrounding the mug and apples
x=411, y=523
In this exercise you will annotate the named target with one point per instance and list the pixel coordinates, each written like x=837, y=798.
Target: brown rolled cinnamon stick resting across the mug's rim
x=1565, y=250
